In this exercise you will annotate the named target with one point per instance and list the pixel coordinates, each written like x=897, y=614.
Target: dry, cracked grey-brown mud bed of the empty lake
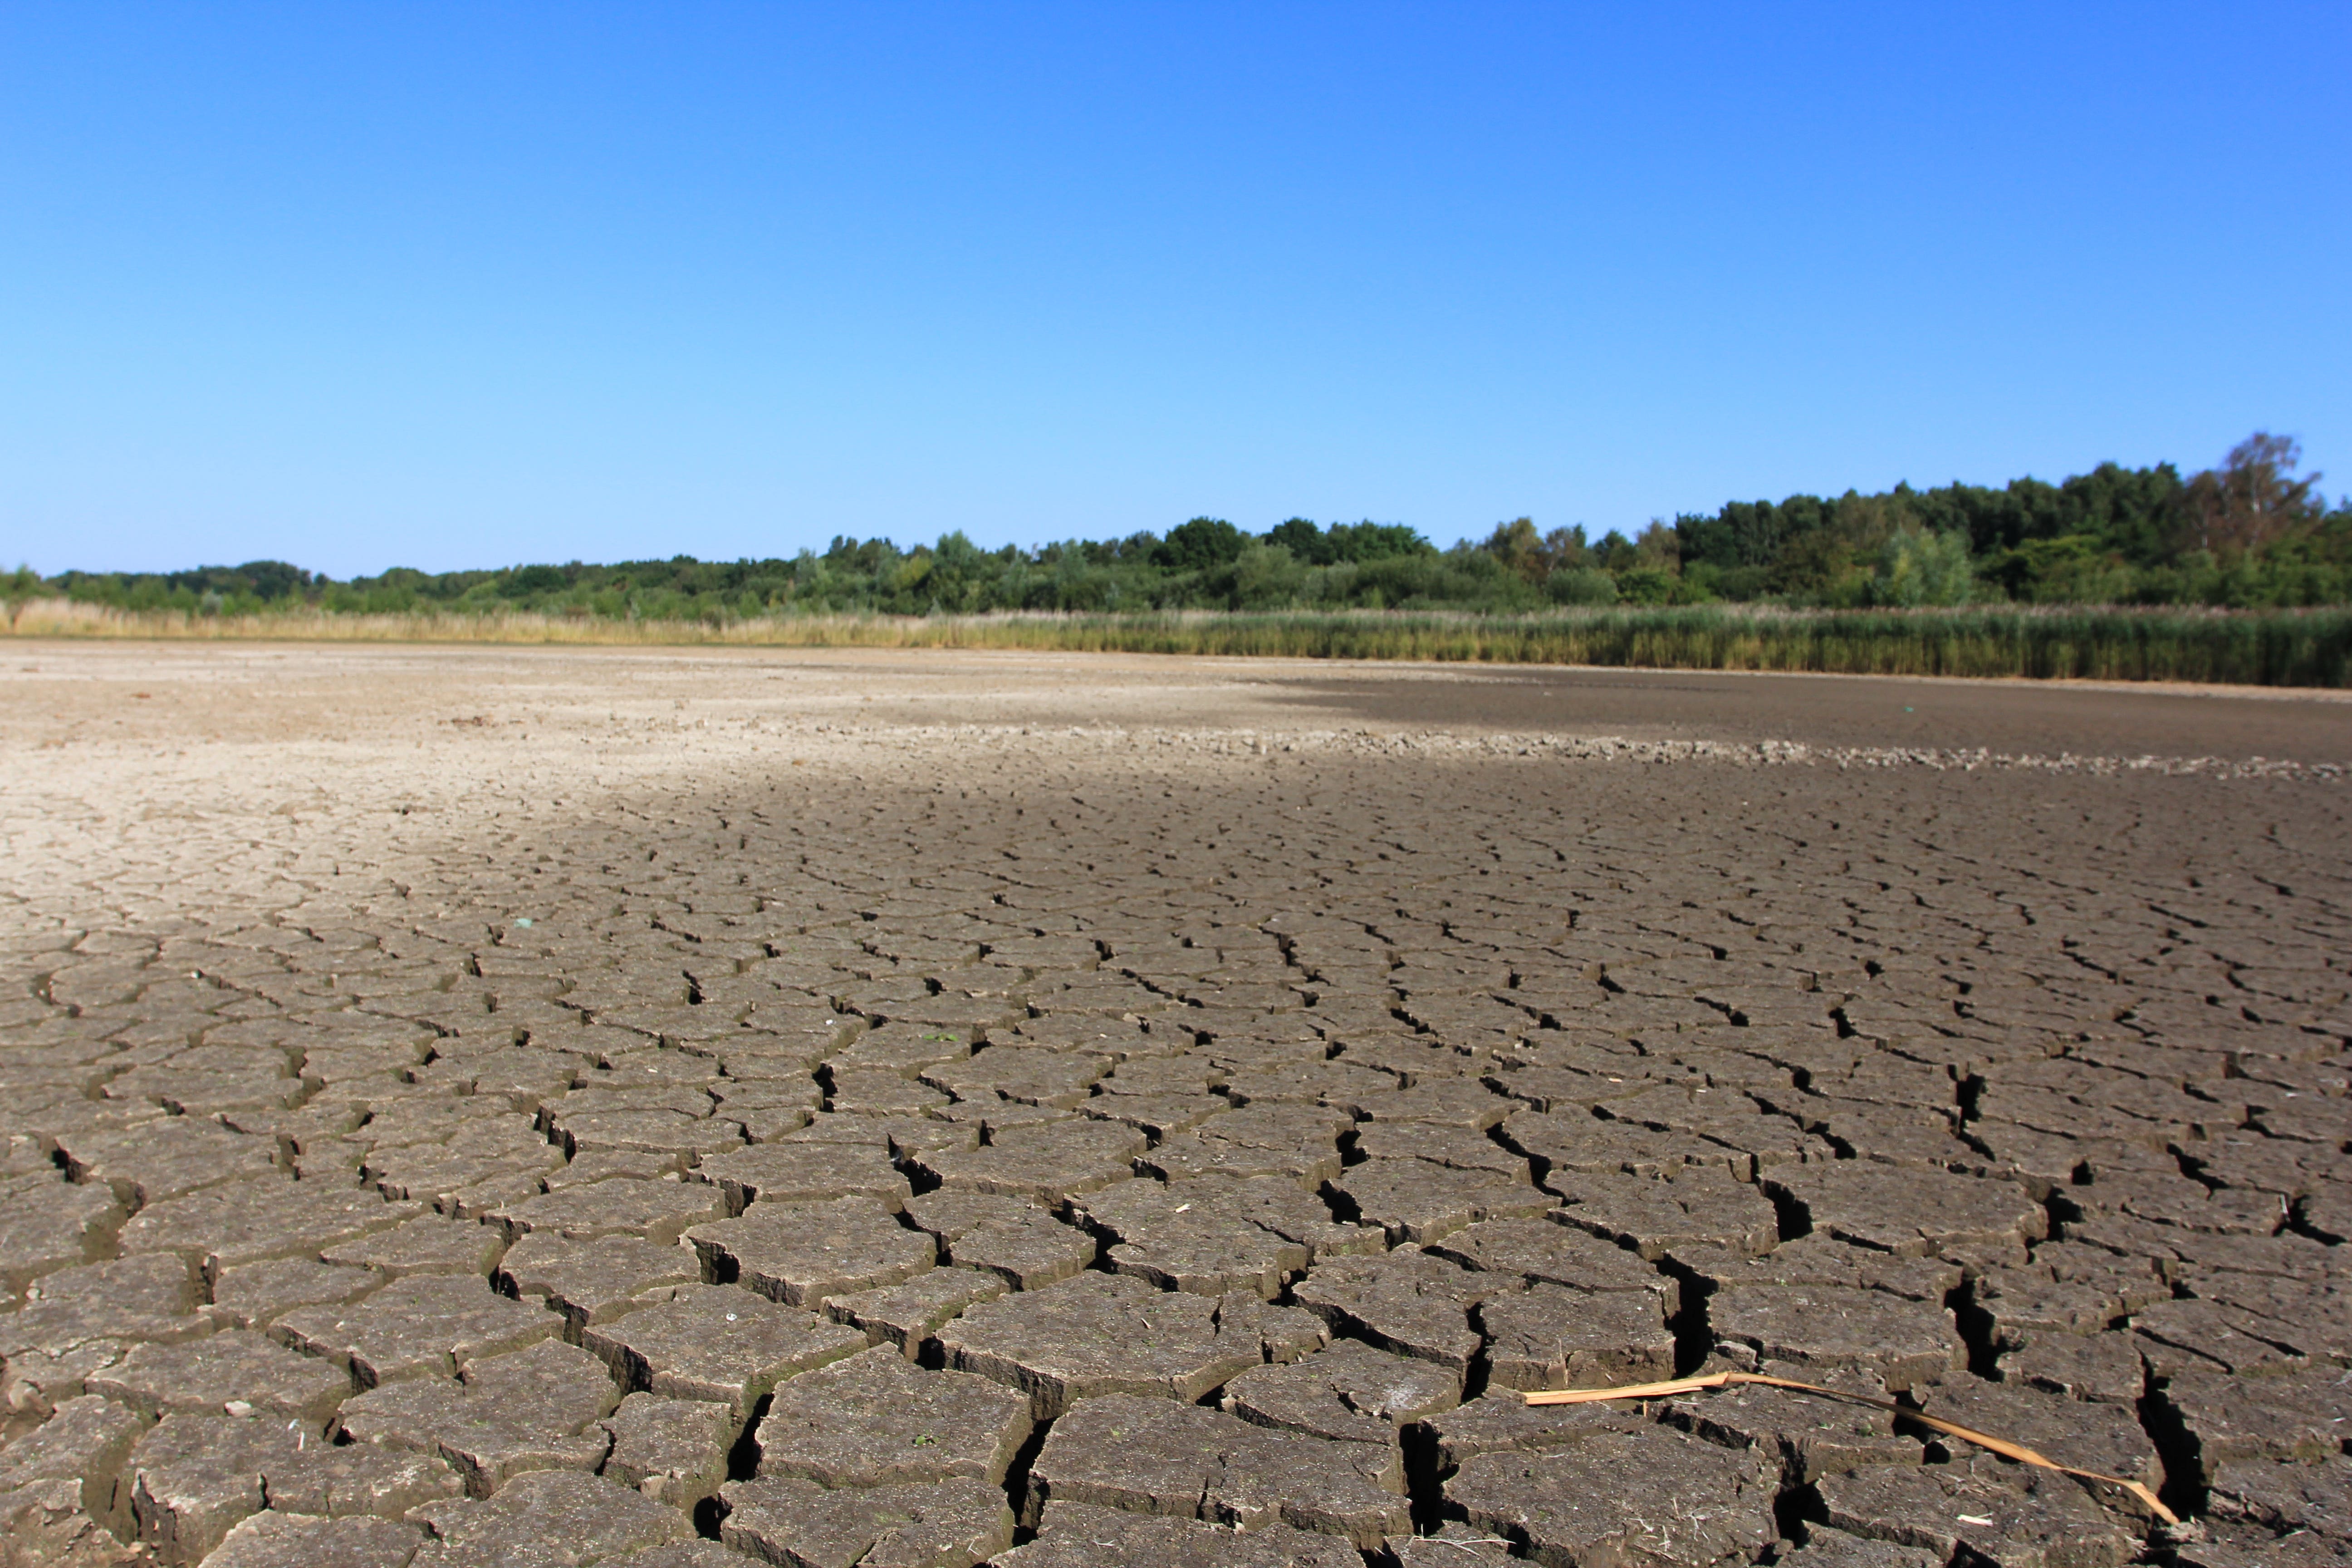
x=709, y=1111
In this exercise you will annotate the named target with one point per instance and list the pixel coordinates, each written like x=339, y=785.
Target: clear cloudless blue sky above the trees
x=366, y=286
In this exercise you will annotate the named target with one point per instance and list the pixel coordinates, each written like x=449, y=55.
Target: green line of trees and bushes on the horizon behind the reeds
x=2250, y=532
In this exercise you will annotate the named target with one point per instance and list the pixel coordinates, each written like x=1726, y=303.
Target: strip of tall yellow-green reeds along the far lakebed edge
x=2311, y=648
